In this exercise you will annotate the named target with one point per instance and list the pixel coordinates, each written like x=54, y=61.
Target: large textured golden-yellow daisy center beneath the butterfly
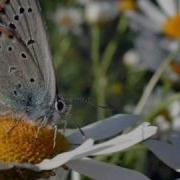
x=22, y=141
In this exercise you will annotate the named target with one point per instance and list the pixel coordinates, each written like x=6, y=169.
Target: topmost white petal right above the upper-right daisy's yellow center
x=168, y=6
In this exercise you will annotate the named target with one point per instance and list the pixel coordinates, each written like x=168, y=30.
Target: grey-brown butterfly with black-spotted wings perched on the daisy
x=27, y=79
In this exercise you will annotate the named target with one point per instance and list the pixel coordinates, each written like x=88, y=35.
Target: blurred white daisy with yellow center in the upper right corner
x=163, y=18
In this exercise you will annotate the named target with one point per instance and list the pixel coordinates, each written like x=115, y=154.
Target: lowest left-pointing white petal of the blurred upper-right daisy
x=143, y=22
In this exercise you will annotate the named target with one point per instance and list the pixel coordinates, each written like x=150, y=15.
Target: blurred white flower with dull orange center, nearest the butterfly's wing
x=69, y=19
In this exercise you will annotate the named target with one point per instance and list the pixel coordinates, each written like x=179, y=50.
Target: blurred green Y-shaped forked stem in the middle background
x=102, y=64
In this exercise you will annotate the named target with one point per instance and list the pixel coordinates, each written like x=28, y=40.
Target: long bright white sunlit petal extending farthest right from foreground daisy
x=122, y=142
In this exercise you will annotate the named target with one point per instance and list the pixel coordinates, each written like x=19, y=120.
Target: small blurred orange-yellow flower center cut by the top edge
x=127, y=5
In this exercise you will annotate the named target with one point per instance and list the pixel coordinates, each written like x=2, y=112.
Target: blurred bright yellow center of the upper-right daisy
x=172, y=27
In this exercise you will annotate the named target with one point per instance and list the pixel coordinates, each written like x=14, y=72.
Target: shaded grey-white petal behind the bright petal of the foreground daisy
x=104, y=129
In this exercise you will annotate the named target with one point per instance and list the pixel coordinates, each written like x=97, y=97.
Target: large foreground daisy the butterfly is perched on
x=22, y=148
